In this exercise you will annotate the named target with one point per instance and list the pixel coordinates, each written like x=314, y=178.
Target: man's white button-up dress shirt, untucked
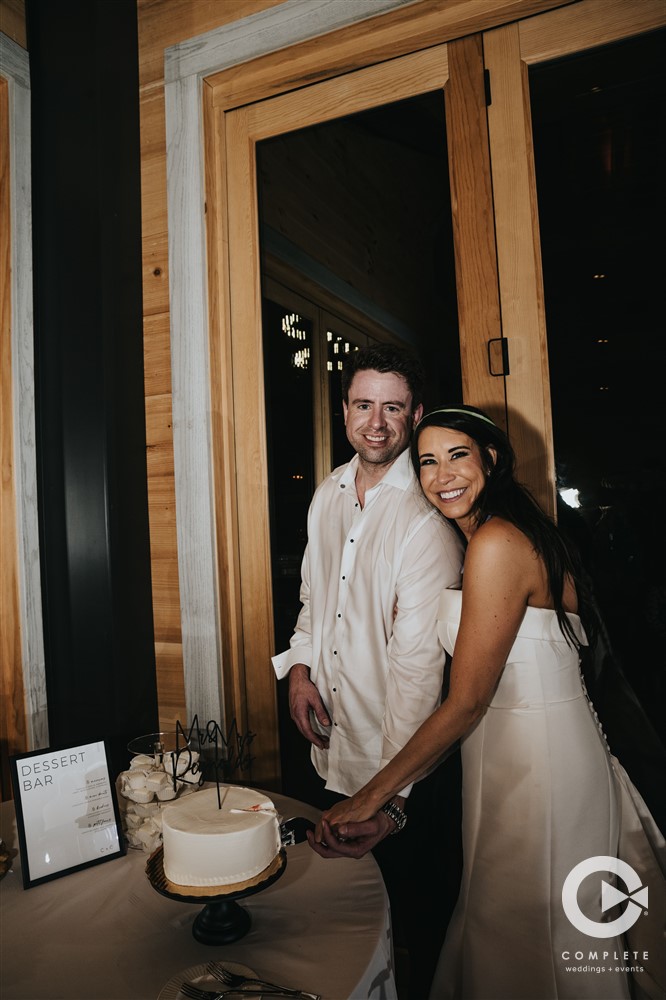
x=371, y=580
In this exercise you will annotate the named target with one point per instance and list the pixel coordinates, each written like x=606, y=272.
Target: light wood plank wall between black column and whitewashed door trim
x=161, y=24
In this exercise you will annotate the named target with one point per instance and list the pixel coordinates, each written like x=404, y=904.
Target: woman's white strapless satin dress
x=542, y=793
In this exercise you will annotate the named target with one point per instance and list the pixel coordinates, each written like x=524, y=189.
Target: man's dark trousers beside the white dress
x=421, y=867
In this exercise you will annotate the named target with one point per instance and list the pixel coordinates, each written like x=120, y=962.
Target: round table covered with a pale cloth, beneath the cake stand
x=104, y=933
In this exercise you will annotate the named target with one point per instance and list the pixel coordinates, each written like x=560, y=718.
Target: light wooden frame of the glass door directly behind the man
x=236, y=331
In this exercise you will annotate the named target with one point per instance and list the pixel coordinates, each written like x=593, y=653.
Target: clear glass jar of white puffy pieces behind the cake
x=163, y=767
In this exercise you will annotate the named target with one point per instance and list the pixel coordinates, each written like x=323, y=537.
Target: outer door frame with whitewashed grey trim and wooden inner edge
x=268, y=53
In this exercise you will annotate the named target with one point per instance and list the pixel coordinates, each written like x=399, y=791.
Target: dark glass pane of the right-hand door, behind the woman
x=599, y=146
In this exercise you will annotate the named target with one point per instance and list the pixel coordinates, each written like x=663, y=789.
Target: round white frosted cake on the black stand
x=206, y=844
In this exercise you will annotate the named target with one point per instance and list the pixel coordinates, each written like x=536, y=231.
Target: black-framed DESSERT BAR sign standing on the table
x=66, y=811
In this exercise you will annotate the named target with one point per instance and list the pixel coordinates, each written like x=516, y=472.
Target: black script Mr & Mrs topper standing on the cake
x=225, y=754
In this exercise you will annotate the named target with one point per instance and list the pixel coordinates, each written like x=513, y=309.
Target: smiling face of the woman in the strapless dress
x=452, y=473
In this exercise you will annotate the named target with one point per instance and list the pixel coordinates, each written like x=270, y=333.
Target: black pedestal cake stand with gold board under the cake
x=222, y=920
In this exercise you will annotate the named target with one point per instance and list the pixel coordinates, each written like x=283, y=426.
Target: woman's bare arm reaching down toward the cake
x=500, y=573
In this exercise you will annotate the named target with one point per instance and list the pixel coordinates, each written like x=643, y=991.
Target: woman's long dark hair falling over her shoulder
x=504, y=497
